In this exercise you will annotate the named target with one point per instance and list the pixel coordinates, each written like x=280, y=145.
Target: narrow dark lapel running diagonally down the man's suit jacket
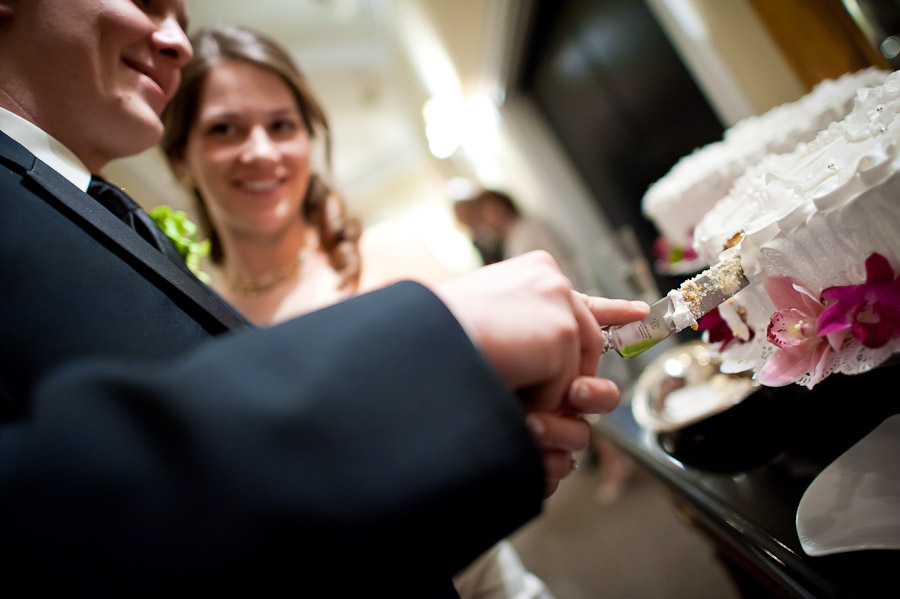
x=217, y=314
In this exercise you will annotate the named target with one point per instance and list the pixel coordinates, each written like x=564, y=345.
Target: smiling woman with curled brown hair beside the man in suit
x=239, y=133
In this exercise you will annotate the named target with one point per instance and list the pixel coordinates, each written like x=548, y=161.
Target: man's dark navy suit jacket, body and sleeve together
x=151, y=441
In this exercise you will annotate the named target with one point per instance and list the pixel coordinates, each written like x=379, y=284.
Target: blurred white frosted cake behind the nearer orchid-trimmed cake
x=678, y=201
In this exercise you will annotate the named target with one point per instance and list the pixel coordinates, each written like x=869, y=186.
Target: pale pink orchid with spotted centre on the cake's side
x=801, y=350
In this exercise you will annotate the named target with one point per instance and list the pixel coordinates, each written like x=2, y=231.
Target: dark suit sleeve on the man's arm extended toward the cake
x=366, y=439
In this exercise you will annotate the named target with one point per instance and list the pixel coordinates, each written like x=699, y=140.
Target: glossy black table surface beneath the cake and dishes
x=743, y=472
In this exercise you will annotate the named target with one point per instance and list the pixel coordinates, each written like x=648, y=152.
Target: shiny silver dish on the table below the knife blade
x=684, y=386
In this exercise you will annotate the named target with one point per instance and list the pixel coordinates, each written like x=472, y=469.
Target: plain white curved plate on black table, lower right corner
x=854, y=503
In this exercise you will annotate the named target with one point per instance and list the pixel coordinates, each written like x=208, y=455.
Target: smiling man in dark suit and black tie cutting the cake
x=151, y=441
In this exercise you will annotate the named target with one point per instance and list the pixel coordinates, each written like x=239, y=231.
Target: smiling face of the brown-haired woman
x=248, y=150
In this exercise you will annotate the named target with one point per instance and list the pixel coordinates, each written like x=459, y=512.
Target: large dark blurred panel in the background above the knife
x=624, y=106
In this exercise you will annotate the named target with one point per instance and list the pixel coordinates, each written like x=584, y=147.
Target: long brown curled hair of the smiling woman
x=322, y=207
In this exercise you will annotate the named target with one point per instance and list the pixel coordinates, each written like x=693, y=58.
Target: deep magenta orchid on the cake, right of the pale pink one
x=871, y=310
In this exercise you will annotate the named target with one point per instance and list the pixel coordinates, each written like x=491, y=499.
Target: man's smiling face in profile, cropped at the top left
x=101, y=70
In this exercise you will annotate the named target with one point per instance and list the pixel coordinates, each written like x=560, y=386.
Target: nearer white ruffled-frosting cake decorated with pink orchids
x=814, y=215
